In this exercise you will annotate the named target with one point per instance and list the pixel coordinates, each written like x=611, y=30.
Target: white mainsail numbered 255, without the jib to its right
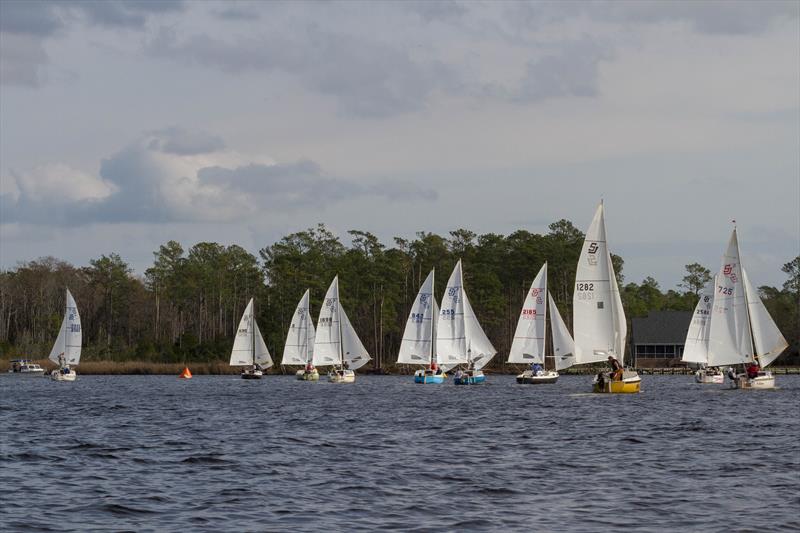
x=451, y=341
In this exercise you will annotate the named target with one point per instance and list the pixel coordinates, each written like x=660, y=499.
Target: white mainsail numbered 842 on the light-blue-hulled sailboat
x=415, y=348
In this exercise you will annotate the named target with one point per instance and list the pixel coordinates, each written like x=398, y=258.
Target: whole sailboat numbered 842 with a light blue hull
x=418, y=346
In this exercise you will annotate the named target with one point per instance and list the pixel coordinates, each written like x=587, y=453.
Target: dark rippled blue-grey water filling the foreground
x=220, y=453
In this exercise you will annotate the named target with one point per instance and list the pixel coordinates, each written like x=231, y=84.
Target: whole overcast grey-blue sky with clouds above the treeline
x=127, y=124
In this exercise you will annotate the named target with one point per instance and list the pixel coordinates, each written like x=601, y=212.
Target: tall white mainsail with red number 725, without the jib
x=729, y=339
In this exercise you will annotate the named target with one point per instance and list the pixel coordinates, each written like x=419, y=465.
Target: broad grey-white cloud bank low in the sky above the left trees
x=171, y=175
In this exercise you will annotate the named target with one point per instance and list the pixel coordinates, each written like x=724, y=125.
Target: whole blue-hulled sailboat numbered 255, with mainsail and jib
x=460, y=339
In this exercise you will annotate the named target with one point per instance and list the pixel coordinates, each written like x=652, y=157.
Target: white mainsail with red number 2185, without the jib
x=529, y=337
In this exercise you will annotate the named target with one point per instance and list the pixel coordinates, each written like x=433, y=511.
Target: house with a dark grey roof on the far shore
x=657, y=340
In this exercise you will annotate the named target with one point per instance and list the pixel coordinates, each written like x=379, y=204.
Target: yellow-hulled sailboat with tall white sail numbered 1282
x=598, y=318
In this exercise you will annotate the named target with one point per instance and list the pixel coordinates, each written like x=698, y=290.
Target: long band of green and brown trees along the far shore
x=187, y=305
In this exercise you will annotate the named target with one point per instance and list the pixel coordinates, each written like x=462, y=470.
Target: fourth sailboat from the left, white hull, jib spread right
x=336, y=342
